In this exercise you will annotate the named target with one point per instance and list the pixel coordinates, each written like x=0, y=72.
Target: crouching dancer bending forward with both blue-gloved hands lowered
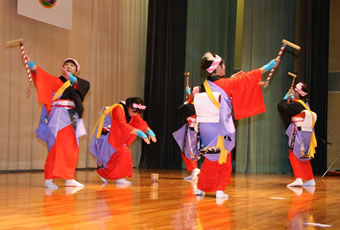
x=115, y=130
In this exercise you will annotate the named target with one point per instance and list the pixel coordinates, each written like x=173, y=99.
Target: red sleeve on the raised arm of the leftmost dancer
x=45, y=84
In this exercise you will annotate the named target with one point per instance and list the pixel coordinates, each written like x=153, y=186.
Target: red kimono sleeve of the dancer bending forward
x=120, y=129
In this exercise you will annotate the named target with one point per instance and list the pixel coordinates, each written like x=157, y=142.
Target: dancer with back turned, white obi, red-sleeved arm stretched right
x=241, y=95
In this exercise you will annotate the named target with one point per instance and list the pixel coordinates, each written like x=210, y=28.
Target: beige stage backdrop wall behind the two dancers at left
x=108, y=38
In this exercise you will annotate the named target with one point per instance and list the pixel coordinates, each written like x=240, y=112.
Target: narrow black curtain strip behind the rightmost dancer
x=313, y=35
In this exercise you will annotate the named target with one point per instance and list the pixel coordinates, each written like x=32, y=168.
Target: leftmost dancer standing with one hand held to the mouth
x=61, y=122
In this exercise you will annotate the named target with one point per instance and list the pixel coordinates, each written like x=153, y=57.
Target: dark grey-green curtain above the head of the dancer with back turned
x=210, y=27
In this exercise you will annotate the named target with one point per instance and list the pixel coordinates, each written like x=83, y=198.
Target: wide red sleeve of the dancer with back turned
x=246, y=93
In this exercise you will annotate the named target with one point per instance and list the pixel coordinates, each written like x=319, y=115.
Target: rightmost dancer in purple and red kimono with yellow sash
x=302, y=141
